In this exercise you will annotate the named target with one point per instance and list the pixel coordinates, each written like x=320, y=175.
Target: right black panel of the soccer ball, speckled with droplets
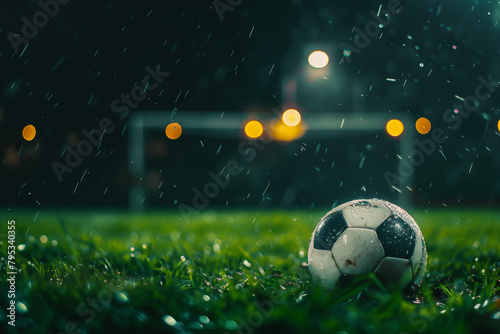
x=397, y=237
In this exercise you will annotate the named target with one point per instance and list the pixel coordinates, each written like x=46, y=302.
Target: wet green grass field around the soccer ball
x=236, y=272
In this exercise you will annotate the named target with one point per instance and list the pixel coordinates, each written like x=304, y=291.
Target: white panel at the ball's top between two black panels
x=365, y=213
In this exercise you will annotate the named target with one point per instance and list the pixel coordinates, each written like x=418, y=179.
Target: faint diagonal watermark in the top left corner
x=40, y=19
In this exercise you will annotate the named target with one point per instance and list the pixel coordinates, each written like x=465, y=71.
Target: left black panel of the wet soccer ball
x=328, y=230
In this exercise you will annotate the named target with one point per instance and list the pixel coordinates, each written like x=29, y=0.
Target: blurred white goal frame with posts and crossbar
x=325, y=125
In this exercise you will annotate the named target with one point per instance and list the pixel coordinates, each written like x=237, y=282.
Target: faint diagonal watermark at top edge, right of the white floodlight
x=372, y=29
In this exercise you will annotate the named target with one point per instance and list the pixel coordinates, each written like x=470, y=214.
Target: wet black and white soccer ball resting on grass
x=367, y=235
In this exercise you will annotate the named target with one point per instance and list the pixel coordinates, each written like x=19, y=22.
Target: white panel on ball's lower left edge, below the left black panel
x=324, y=270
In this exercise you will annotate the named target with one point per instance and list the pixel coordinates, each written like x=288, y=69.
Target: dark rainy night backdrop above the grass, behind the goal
x=93, y=51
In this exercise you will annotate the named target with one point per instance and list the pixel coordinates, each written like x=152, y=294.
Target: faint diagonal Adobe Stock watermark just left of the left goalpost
x=121, y=106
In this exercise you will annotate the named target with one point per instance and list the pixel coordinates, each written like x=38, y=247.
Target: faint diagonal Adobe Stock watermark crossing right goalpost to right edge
x=454, y=117
